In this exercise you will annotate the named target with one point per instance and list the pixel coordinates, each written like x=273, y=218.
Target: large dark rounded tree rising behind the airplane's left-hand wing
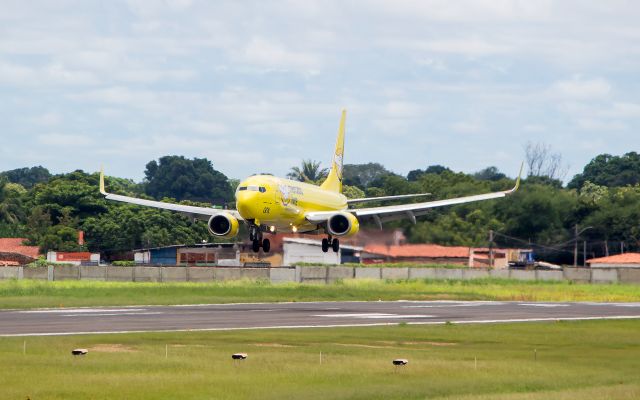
x=183, y=179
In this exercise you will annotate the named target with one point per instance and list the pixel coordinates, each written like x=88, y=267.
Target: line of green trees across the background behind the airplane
x=49, y=209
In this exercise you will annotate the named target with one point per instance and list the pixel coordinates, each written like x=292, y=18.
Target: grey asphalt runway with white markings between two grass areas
x=204, y=317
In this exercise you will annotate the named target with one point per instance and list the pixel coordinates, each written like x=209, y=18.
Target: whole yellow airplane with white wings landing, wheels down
x=267, y=204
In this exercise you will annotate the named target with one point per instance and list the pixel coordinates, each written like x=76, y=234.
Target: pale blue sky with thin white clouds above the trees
x=259, y=86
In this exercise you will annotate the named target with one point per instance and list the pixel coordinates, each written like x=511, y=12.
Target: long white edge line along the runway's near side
x=616, y=317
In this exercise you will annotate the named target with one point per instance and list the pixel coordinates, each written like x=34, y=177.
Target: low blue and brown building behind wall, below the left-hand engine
x=224, y=254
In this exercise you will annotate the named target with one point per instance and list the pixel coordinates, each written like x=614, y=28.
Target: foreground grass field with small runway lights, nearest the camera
x=585, y=360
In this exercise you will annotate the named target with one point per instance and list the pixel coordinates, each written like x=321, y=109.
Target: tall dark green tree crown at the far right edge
x=610, y=171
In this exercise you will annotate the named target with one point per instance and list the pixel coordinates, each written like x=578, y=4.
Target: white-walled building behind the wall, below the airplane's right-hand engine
x=303, y=250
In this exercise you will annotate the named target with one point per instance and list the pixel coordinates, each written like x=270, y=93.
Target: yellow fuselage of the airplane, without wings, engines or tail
x=282, y=203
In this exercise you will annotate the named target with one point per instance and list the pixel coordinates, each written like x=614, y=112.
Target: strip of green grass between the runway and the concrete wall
x=31, y=294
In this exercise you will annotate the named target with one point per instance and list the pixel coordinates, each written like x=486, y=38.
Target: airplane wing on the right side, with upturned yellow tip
x=410, y=211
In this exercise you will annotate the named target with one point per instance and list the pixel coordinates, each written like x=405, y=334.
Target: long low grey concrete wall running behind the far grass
x=320, y=274
